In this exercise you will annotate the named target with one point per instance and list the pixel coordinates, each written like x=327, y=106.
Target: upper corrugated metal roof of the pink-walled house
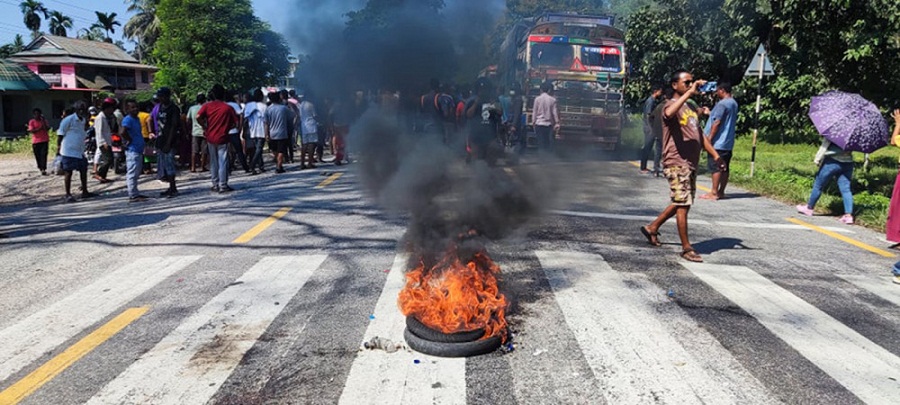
x=55, y=46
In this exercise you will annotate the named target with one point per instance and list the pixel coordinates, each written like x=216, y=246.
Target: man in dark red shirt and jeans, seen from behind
x=217, y=118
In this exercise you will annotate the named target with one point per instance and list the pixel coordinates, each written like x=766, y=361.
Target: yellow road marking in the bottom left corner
x=28, y=385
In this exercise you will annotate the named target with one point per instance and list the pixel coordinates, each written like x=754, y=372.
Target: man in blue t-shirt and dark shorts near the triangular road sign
x=720, y=130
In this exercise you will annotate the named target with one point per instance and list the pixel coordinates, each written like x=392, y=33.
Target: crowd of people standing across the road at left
x=222, y=131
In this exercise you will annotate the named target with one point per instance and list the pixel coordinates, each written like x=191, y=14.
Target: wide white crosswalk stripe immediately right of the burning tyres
x=630, y=351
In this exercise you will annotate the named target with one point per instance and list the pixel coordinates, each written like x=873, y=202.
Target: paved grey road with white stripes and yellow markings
x=194, y=300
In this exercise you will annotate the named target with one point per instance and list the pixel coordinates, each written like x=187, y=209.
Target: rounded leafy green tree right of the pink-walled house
x=204, y=42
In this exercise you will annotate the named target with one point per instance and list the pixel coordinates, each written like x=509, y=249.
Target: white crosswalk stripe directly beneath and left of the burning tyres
x=378, y=377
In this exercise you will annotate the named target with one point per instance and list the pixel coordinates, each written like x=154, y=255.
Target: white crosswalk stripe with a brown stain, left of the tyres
x=190, y=364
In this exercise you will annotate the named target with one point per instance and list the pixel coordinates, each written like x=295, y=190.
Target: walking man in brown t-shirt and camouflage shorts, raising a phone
x=682, y=142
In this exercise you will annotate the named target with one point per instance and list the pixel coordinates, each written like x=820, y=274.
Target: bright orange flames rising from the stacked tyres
x=455, y=297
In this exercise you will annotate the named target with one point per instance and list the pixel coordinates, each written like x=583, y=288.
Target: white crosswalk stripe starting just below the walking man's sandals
x=864, y=368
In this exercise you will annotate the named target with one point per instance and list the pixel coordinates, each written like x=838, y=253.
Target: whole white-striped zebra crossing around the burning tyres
x=637, y=346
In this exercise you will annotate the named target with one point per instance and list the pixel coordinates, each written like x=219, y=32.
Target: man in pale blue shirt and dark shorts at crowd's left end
x=71, y=149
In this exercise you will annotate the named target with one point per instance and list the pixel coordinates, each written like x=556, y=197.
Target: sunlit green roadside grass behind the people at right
x=785, y=172
